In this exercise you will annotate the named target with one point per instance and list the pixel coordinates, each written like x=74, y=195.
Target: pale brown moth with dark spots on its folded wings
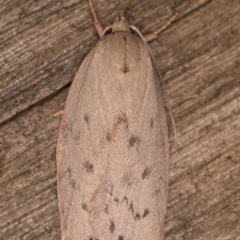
x=113, y=150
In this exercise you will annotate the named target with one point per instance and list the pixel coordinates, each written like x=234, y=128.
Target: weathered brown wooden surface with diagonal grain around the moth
x=42, y=45
